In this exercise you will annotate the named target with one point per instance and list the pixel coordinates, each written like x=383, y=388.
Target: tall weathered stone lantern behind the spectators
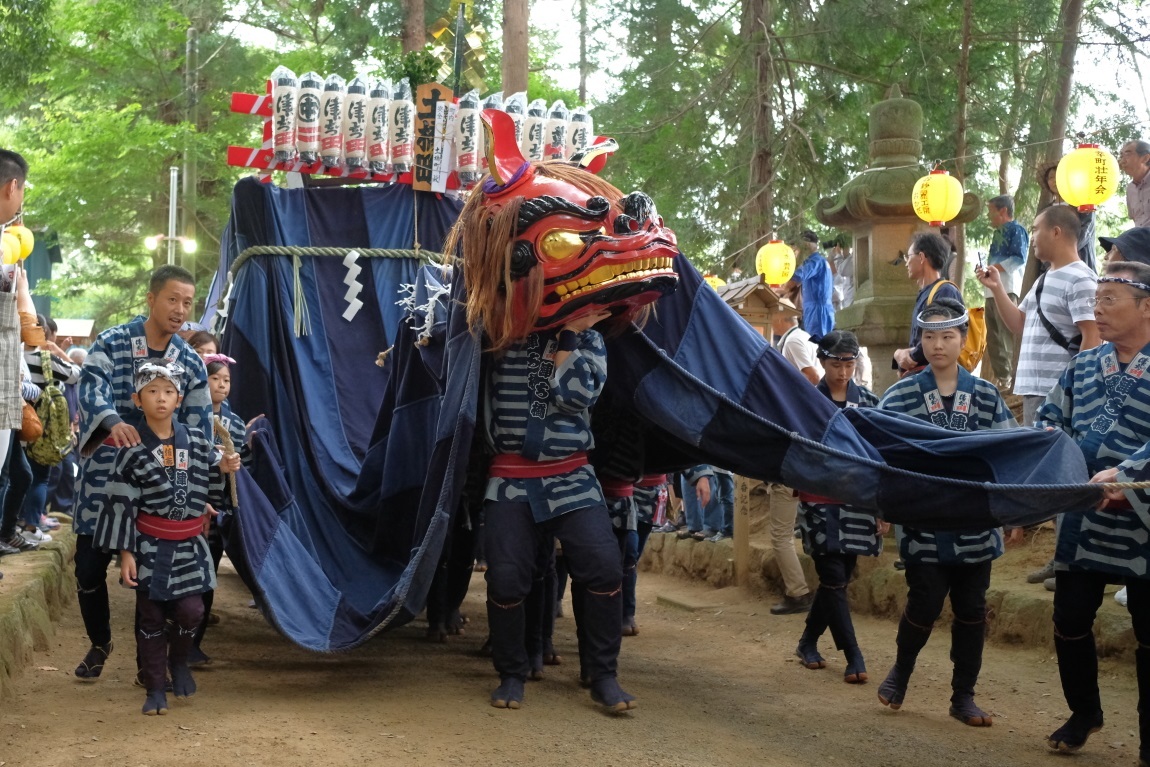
x=876, y=208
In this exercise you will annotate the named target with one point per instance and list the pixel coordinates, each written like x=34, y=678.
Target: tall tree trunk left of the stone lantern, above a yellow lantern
x=758, y=211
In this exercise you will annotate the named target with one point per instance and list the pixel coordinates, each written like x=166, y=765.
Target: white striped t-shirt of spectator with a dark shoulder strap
x=1067, y=295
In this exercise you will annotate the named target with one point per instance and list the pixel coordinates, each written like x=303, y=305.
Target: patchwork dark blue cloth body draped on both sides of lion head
x=359, y=470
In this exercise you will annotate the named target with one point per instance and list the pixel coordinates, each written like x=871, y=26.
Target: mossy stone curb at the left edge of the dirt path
x=37, y=586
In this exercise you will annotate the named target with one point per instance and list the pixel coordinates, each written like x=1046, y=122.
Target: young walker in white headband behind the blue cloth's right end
x=941, y=564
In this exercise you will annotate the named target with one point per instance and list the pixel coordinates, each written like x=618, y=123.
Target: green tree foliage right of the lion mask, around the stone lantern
x=687, y=99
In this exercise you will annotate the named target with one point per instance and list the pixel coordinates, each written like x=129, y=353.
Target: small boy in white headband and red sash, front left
x=159, y=493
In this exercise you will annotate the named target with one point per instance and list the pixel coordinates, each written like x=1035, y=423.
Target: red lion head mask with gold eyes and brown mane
x=547, y=243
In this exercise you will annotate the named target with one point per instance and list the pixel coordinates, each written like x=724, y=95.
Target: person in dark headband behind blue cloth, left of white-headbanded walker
x=835, y=535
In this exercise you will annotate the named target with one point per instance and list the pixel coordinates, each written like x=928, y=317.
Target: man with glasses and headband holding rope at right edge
x=1102, y=401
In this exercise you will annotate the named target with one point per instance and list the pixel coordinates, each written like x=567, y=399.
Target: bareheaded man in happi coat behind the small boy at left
x=109, y=421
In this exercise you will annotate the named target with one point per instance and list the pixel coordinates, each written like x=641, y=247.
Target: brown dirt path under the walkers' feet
x=717, y=687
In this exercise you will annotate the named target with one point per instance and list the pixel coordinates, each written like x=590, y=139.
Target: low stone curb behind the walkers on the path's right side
x=1018, y=617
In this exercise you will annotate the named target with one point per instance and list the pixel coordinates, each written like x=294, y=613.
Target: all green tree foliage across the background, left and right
x=96, y=96
